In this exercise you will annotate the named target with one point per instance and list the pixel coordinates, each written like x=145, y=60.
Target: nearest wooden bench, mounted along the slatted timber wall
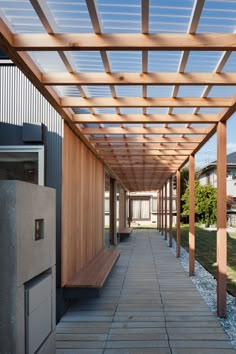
x=95, y=273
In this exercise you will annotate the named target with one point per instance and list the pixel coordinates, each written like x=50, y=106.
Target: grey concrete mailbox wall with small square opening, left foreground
x=24, y=263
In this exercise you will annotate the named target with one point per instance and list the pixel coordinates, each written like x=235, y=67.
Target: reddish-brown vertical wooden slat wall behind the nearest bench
x=82, y=205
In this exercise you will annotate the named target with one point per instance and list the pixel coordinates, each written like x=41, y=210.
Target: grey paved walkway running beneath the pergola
x=149, y=305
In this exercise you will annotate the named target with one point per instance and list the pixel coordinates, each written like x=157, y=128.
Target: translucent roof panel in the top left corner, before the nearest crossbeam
x=21, y=15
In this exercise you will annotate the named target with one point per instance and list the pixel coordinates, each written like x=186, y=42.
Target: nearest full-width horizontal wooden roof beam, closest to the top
x=123, y=41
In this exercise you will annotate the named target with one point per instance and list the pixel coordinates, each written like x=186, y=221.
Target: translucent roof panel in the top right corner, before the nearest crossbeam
x=218, y=16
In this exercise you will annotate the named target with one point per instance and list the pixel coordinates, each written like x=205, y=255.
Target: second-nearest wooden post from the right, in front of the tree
x=191, y=216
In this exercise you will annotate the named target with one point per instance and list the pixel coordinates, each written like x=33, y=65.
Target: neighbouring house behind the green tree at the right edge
x=209, y=174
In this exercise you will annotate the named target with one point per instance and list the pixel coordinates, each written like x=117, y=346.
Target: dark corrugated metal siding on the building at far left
x=21, y=102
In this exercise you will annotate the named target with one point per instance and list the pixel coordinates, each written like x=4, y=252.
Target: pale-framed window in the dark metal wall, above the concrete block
x=24, y=163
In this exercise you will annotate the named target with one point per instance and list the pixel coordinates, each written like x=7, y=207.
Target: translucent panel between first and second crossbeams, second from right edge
x=202, y=61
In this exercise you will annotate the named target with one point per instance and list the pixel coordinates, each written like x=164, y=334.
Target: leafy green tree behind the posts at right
x=205, y=203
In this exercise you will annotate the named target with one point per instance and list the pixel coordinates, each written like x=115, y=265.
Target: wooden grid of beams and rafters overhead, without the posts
x=142, y=150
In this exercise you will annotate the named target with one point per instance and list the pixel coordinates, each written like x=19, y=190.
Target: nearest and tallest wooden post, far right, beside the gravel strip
x=221, y=220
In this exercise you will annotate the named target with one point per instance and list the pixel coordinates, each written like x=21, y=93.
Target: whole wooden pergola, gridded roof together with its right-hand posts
x=142, y=137
